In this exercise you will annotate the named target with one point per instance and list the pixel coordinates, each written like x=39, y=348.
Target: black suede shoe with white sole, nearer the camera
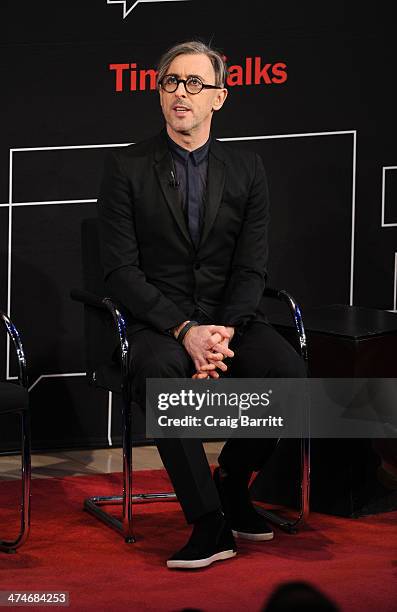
x=208, y=543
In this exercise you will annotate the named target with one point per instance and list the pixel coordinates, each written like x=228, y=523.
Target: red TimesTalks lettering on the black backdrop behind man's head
x=128, y=77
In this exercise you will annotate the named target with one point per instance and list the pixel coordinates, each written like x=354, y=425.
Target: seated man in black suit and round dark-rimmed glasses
x=184, y=238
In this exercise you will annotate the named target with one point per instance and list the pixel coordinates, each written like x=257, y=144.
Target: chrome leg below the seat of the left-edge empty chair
x=12, y=546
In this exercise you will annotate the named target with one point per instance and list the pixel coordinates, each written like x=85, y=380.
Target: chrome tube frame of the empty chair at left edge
x=7, y=545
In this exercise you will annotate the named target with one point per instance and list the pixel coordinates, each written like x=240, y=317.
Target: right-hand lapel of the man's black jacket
x=215, y=185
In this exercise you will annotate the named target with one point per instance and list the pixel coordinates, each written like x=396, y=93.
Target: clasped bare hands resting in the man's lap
x=208, y=345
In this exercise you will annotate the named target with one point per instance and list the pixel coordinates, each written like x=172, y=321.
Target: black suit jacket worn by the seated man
x=150, y=263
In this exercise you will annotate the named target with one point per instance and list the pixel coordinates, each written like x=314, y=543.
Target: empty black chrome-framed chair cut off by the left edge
x=14, y=399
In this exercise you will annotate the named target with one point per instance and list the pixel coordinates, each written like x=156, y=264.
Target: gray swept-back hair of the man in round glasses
x=192, y=47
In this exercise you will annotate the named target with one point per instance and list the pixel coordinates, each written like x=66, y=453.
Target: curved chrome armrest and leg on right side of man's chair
x=292, y=525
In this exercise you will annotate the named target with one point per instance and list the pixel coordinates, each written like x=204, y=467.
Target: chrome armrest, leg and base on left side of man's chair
x=94, y=503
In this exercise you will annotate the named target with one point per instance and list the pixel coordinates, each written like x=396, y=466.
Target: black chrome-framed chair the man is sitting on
x=102, y=320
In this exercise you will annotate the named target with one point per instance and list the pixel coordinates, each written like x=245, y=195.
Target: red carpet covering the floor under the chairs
x=353, y=561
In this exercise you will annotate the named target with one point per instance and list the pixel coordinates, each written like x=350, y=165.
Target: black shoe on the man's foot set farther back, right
x=244, y=520
